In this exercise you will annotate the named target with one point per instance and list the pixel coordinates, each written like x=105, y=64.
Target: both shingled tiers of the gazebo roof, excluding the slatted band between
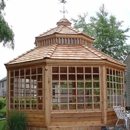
x=63, y=51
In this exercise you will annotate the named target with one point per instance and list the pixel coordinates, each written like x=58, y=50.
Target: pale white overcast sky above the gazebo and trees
x=29, y=18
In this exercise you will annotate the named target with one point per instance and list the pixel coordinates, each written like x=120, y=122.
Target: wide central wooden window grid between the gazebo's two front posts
x=74, y=75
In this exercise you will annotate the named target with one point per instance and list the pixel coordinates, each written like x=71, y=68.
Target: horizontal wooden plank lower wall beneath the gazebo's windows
x=70, y=121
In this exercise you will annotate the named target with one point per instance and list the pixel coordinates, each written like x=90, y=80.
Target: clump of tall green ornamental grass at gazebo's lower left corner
x=17, y=121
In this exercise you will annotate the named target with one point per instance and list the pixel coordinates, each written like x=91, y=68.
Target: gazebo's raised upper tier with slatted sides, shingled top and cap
x=63, y=34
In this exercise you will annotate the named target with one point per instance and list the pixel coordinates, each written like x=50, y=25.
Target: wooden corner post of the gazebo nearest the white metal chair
x=104, y=95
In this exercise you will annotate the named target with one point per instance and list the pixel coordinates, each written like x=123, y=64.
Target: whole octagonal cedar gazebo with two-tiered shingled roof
x=65, y=82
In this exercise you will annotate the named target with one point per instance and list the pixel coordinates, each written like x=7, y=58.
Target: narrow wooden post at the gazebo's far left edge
x=7, y=94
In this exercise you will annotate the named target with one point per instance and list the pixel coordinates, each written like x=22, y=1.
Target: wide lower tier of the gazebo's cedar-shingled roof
x=64, y=51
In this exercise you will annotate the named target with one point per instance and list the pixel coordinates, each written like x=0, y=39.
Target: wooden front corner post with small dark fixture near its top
x=47, y=96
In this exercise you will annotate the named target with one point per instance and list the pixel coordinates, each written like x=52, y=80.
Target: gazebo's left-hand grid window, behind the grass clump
x=26, y=88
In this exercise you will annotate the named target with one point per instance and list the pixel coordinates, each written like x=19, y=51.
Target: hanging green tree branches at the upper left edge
x=6, y=33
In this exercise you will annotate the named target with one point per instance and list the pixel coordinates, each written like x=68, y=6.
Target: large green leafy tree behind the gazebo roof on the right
x=109, y=36
